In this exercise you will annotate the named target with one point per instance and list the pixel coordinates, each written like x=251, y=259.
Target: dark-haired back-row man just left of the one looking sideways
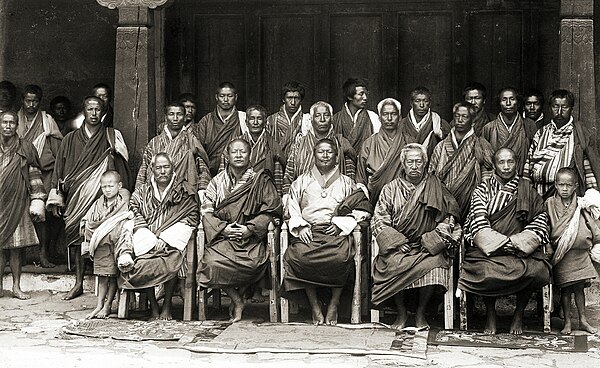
x=289, y=121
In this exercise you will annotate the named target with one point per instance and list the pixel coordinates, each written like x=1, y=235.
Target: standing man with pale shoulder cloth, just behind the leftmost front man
x=39, y=128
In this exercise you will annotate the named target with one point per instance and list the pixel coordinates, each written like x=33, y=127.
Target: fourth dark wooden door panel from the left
x=425, y=58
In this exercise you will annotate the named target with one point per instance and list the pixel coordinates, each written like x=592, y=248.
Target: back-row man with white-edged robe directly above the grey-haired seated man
x=423, y=125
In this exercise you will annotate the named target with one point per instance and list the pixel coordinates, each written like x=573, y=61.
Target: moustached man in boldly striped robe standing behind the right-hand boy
x=562, y=143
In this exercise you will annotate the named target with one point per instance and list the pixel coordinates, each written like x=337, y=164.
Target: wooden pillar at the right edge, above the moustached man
x=577, y=57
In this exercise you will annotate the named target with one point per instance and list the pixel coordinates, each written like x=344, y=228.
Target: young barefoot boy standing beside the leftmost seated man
x=107, y=228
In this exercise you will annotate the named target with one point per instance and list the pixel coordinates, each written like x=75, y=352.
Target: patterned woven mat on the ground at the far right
x=540, y=341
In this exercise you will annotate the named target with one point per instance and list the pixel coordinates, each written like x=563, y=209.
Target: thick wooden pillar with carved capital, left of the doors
x=135, y=63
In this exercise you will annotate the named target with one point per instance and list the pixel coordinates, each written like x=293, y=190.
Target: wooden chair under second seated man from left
x=205, y=294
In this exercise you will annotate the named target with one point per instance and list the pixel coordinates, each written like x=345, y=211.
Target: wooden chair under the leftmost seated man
x=127, y=297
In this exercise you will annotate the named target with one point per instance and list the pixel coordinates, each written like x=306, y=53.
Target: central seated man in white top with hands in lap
x=324, y=207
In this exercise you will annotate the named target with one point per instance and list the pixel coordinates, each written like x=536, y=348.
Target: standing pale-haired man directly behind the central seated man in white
x=301, y=158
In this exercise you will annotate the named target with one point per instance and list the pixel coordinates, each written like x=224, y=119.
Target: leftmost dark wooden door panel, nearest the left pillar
x=220, y=56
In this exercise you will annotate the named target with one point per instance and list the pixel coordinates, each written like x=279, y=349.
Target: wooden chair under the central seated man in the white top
x=356, y=294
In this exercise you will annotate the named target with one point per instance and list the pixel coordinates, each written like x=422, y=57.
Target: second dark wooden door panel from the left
x=287, y=53
